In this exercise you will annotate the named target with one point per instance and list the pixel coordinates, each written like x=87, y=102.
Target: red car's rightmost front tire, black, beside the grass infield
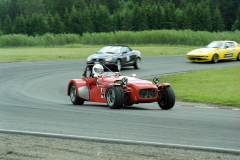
x=166, y=98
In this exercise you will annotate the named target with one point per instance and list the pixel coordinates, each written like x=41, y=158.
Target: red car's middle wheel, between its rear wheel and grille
x=114, y=97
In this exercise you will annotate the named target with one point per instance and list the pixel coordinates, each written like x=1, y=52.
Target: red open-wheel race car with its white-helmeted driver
x=102, y=85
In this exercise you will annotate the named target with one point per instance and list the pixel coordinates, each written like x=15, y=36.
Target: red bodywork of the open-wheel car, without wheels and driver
x=94, y=89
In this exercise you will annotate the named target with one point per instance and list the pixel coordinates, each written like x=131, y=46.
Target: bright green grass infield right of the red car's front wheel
x=215, y=86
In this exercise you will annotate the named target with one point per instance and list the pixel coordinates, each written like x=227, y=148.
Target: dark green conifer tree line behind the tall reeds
x=37, y=17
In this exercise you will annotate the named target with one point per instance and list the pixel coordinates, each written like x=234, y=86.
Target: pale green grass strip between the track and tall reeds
x=78, y=51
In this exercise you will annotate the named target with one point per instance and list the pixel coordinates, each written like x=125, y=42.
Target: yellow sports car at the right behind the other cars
x=215, y=51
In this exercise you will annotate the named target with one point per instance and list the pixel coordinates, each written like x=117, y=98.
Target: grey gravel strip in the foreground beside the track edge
x=38, y=147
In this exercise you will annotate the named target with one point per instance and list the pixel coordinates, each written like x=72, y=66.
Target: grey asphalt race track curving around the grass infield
x=33, y=99
